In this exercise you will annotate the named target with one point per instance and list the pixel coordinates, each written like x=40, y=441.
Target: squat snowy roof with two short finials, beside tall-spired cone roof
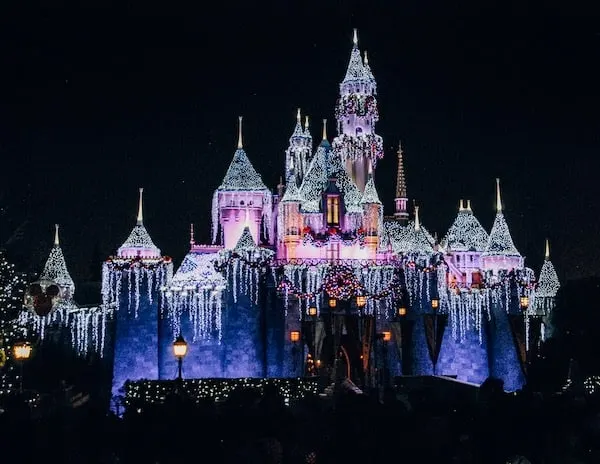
x=465, y=233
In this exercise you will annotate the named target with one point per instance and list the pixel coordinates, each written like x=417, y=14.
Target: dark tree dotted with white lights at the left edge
x=12, y=288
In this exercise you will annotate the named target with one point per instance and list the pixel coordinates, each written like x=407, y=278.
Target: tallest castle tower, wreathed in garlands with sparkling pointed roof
x=356, y=112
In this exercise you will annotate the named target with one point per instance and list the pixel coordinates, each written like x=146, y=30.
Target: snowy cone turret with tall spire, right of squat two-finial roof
x=500, y=252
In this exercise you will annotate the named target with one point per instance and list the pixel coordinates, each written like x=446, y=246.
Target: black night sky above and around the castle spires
x=96, y=103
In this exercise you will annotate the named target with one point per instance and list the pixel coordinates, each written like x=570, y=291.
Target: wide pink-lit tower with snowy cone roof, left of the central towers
x=242, y=200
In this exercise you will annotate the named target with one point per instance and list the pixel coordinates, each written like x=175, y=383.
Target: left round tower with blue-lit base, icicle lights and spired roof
x=131, y=283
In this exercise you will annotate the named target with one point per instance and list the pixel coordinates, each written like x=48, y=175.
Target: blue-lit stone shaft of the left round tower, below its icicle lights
x=136, y=340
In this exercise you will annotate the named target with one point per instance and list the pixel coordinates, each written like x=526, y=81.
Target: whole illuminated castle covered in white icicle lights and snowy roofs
x=311, y=278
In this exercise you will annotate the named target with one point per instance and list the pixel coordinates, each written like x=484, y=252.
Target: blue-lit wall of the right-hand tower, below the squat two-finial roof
x=466, y=359
